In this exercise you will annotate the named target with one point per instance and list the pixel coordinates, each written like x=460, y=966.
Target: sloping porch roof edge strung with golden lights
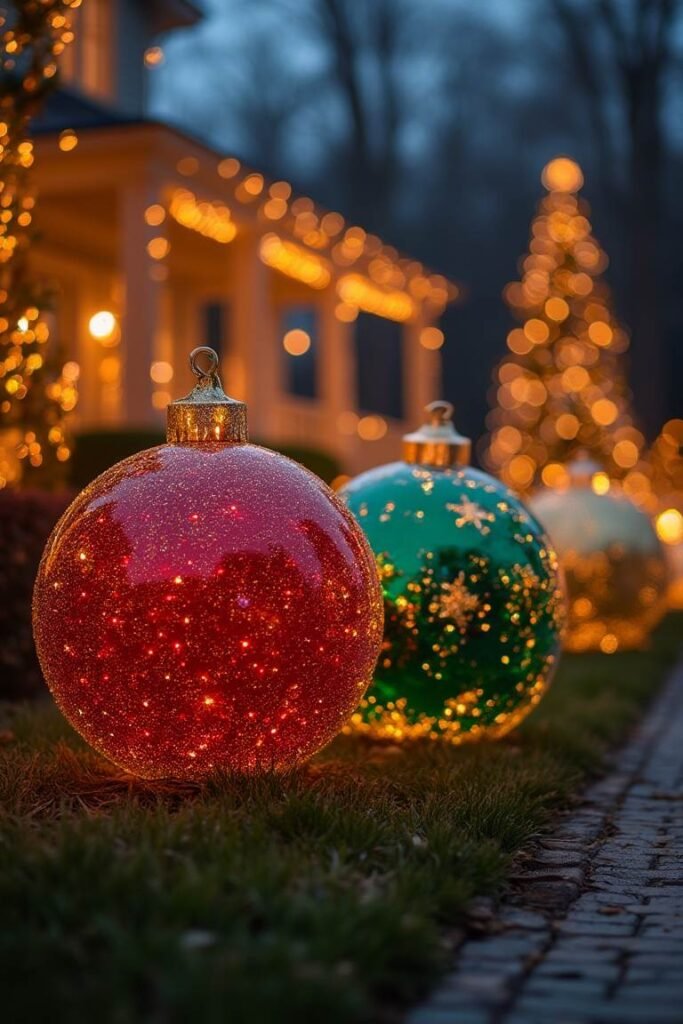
x=300, y=238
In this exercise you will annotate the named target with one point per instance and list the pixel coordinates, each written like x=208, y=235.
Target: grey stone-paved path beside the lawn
x=594, y=934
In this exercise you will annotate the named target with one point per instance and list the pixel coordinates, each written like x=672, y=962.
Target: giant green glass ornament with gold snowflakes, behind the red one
x=473, y=596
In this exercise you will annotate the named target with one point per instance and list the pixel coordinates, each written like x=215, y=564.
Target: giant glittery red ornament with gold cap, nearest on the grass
x=207, y=605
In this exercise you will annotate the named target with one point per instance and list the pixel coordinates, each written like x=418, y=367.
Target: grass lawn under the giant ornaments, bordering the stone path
x=321, y=897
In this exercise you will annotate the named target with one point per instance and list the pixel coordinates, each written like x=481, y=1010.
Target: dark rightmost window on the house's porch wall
x=379, y=346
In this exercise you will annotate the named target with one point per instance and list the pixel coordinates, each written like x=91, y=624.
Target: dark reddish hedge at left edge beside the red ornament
x=26, y=522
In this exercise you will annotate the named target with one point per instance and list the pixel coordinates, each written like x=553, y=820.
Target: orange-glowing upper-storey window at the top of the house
x=88, y=65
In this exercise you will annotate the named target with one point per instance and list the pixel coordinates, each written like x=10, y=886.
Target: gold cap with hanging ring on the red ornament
x=207, y=414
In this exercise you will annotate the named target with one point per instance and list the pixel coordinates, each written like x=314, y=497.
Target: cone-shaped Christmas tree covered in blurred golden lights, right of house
x=563, y=387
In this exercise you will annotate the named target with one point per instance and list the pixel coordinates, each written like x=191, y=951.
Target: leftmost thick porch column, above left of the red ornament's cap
x=142, y=322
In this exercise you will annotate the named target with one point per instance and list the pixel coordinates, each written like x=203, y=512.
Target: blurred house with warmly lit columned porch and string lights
x=155, y=244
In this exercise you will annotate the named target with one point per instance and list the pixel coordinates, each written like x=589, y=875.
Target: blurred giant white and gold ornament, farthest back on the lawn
x=614, y=565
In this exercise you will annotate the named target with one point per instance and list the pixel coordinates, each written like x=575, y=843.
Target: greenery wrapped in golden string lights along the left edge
x=36, y=392
